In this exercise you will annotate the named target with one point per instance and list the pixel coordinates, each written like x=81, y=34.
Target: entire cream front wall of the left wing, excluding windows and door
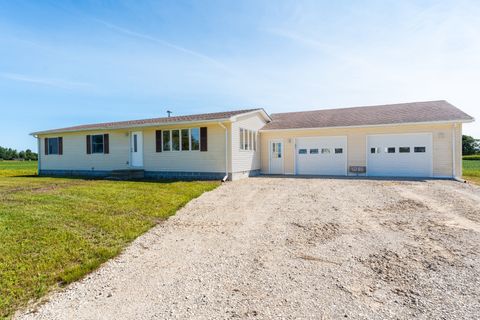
x=75, y=158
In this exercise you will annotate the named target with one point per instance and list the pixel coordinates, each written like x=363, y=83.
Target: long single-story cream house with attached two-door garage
x=421, y=139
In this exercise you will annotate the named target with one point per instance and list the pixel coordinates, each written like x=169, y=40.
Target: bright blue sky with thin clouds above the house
x=70, y=62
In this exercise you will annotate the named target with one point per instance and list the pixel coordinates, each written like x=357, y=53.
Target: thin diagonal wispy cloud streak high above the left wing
x=162, y=42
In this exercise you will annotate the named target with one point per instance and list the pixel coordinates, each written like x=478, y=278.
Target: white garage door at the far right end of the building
x=400, y=155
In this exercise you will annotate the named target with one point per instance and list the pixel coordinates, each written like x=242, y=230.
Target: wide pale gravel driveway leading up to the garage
x=296, y=248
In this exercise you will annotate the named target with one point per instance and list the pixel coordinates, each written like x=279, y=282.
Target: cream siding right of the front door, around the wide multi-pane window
x=212, y=160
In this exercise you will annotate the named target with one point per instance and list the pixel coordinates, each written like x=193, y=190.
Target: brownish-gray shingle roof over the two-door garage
x=429, y=111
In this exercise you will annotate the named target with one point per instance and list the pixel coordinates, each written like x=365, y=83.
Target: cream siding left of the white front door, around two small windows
x=75, y=156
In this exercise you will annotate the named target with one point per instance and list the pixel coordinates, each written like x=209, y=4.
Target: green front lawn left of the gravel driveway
x=55, y=230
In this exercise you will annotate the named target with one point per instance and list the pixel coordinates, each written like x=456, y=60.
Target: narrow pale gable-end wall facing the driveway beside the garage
x=246, y=161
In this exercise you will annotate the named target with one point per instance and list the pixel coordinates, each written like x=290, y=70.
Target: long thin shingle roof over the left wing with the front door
x=150, y=122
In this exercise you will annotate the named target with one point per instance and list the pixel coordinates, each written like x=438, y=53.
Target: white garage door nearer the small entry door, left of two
x=321, y=155
